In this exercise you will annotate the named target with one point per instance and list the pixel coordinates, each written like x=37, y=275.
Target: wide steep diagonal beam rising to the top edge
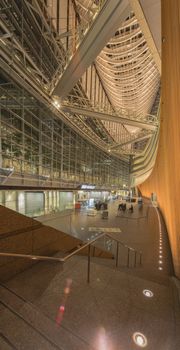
x=106, y=22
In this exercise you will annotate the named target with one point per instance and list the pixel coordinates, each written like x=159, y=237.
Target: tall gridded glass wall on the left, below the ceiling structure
x=38, y=145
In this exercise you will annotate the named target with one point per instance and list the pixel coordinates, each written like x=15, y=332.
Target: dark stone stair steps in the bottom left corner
x=33, y=321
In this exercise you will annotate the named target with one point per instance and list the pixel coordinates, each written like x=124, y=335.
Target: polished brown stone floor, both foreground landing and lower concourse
x=48, y=307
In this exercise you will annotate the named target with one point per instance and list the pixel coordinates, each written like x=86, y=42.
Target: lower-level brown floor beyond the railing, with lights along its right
x=139, y=230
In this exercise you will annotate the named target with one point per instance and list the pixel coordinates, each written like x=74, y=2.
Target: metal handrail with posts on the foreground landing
x=61, y=260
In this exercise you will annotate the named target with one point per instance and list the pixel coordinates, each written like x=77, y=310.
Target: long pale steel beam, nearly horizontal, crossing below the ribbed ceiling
x=109, y=117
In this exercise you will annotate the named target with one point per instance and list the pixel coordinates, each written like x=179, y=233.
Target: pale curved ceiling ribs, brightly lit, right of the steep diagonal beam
x=127, y=68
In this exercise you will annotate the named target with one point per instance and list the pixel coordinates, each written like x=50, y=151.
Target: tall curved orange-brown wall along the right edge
x=165, y=178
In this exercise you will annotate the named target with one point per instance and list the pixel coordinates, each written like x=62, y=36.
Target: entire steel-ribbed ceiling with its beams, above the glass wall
x=98, y=69
